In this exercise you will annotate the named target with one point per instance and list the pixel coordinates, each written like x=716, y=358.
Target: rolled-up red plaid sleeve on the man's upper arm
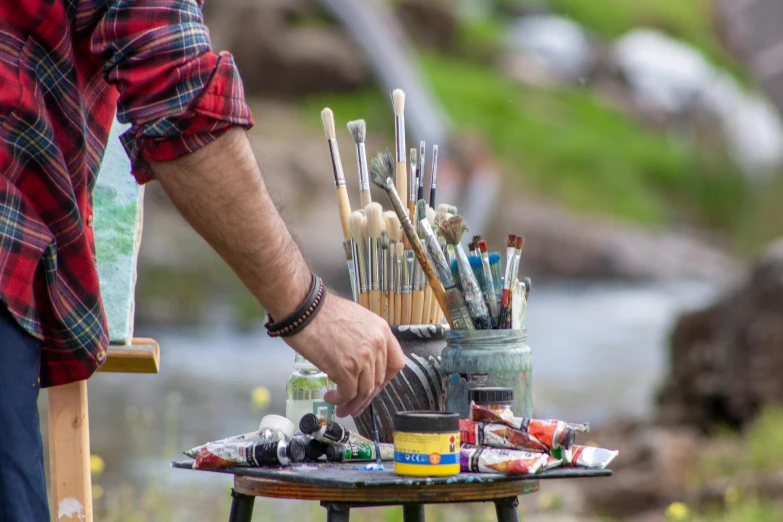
x=174, y=91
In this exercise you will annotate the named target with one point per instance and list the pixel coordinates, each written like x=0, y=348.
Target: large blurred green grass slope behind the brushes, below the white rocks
x=571, y=147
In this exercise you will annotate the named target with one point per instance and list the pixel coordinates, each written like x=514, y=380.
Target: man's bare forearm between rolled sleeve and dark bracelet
x=220, y=192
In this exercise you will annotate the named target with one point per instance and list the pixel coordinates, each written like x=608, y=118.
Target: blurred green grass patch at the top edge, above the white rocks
x=692, y=21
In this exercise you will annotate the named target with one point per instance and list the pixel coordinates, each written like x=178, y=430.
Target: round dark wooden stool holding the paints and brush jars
x=340, y=487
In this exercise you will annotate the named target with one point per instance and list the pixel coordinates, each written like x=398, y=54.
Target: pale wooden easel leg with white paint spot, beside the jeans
x=69, y=453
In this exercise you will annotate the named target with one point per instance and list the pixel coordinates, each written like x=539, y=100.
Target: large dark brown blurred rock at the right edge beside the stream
x=726, y=360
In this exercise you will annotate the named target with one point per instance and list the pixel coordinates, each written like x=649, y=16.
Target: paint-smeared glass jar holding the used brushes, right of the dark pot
x=487, y=358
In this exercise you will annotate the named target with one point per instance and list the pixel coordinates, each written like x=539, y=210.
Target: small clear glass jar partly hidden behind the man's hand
x=305, y=392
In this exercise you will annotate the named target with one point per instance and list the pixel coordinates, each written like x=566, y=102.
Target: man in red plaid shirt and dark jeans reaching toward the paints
x=65, y=65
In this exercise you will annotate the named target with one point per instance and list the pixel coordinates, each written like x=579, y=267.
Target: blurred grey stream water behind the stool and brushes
x=599, y=352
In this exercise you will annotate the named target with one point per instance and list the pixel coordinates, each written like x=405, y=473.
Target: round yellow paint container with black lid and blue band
x=426, y=443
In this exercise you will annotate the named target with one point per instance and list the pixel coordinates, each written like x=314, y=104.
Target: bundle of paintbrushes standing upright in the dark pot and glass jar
x=408, y=265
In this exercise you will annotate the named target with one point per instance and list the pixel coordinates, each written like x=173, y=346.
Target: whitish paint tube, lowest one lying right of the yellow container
x=511, y=462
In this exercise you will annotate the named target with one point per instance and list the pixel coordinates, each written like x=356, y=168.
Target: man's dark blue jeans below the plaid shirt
x=22, y=480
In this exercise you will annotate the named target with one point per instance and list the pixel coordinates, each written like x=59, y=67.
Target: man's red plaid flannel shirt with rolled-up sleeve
x=65, y=66
